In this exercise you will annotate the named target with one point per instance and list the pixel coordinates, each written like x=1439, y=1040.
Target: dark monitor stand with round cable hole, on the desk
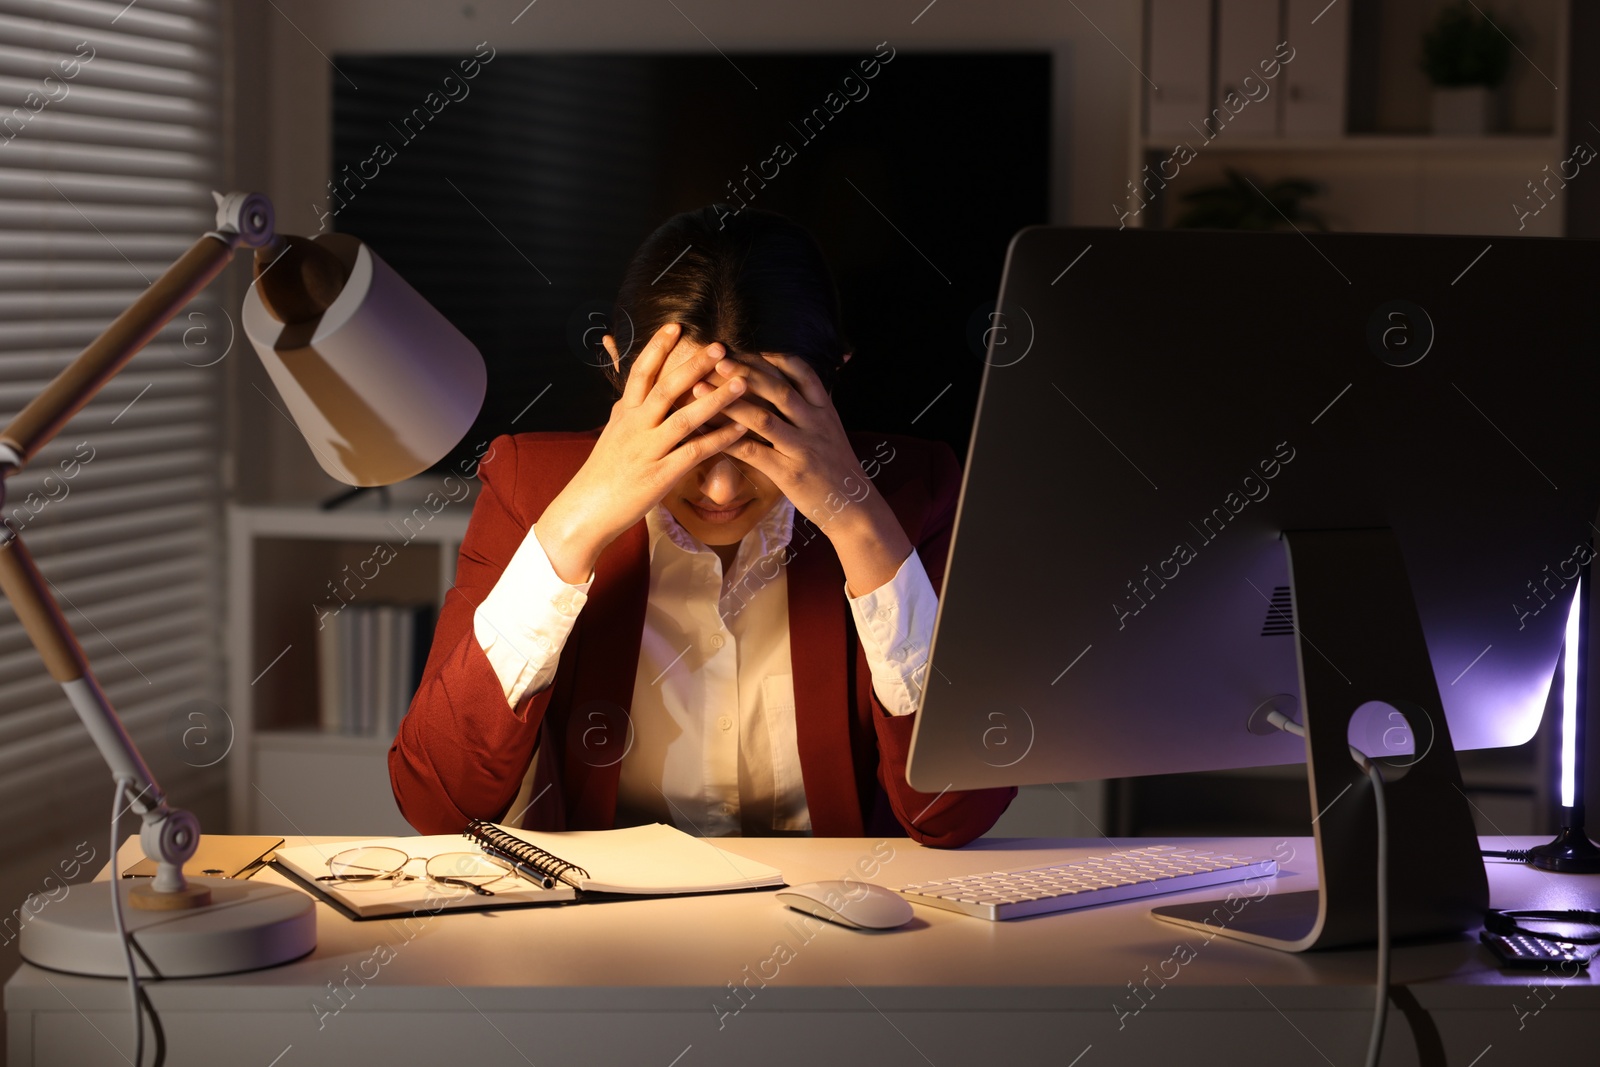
x=1359, y=639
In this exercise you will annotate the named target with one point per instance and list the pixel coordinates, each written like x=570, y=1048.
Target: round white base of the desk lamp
x=247, y=927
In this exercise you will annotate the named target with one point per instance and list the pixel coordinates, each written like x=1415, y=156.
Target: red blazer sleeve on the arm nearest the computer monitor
x=953, y=818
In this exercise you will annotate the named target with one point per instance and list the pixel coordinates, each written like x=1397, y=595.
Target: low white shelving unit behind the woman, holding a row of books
x=287, y=565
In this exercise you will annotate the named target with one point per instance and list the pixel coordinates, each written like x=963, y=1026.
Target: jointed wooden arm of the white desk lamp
x=169, y=836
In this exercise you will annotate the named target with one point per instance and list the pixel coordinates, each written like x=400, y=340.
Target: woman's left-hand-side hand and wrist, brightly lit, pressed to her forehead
x=644, y=450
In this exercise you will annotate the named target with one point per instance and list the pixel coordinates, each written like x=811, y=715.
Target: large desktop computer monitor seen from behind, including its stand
x=1350, y=478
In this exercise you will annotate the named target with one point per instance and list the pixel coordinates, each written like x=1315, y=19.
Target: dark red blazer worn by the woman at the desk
x=462, y=754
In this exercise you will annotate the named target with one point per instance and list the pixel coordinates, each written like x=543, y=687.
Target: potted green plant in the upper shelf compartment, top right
x=1465, y=55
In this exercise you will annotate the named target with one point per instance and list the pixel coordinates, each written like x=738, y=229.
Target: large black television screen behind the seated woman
x=577, y=159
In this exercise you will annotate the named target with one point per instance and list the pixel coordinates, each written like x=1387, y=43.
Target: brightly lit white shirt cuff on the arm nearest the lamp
x=526, y=620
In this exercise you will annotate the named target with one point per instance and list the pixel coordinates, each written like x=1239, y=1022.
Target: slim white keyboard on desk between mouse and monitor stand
x=1138, y=873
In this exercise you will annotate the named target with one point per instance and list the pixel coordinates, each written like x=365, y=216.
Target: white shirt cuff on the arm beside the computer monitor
x=895, y=625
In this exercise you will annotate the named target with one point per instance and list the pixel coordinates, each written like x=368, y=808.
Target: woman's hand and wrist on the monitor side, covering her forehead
x=810, y=460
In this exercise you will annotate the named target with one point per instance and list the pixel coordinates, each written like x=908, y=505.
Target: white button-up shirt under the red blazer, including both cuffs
x=713, y=745
